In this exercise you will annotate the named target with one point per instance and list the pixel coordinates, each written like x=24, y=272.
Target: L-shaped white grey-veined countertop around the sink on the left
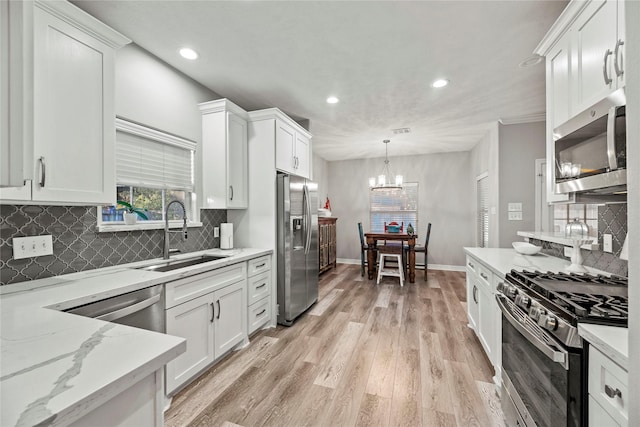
x=55, y=367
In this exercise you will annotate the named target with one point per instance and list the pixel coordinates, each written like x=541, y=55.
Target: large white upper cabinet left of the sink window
x=73, y=117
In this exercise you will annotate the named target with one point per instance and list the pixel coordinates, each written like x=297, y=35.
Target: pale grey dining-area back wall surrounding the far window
x=444, y=197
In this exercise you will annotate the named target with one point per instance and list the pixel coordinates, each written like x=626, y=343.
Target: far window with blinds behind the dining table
x=399, y=205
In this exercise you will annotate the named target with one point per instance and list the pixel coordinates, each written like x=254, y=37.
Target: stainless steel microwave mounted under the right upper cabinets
x=591, y=149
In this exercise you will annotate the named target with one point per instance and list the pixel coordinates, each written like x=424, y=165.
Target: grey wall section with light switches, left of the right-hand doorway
x=519, y=147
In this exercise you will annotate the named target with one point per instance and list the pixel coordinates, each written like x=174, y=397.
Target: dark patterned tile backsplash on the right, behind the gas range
x=612, y=219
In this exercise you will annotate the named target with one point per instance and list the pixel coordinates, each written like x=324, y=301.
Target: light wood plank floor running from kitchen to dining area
x=363, y=355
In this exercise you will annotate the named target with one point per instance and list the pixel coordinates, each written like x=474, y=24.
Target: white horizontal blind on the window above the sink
x=149, y=158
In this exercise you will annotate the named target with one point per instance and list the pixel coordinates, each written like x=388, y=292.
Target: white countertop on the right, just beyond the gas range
x=503, y=260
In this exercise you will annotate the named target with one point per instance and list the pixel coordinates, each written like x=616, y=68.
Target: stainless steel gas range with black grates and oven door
x=543, y=357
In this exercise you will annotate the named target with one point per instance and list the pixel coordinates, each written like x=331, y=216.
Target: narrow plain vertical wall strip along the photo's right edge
x=632, y=68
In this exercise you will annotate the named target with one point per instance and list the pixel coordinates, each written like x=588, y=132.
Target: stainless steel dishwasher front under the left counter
x=143, y=309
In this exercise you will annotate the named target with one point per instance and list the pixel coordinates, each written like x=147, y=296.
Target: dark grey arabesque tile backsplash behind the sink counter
x=77, y=246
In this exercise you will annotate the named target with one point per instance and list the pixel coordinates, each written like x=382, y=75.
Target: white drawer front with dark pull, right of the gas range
x=608, y=385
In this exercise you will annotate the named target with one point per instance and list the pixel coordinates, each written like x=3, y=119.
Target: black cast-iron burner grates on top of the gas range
x=584, y=297
